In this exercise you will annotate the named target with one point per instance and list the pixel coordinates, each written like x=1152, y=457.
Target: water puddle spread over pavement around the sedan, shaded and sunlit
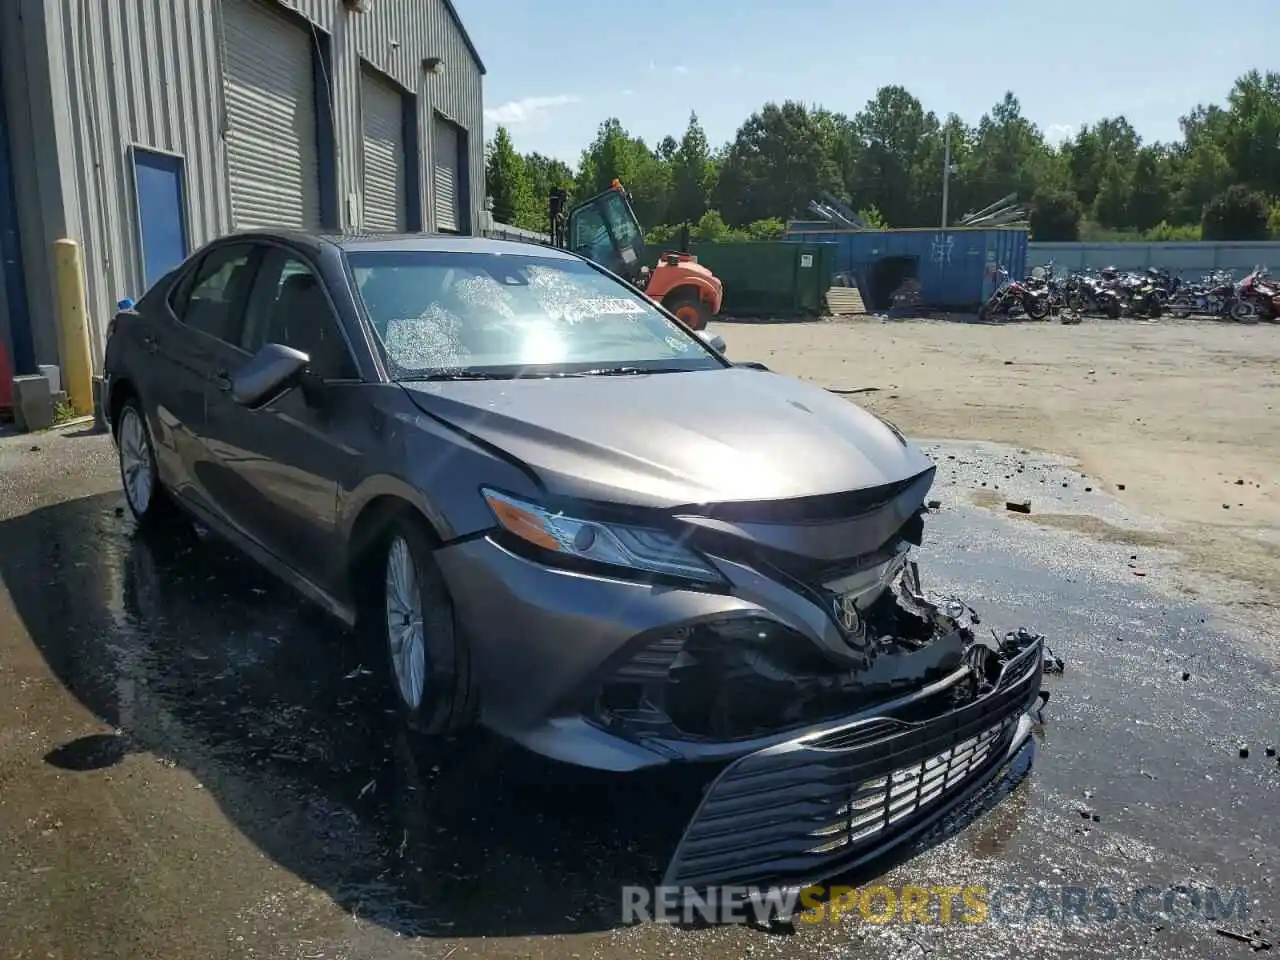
x=202, y=661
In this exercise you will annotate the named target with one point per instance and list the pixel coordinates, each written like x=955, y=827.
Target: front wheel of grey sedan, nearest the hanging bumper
x=428, y=661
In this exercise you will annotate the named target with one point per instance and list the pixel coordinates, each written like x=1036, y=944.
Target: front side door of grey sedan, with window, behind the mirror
x=287, y=459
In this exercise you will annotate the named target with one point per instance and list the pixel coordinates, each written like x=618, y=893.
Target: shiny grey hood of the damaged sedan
x=674, y=440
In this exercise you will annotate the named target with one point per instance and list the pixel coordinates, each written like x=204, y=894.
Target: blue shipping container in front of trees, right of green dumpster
x=957, y=268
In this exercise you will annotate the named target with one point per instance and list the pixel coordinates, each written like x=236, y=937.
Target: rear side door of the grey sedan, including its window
x=185, y=341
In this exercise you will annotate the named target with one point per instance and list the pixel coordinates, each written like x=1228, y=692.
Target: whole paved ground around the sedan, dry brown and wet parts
x=194, y=764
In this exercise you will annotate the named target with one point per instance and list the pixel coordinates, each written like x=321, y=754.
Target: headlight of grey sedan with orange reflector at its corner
x=611, y=545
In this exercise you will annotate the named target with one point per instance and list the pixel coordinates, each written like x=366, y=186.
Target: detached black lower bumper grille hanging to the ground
x=810, y=808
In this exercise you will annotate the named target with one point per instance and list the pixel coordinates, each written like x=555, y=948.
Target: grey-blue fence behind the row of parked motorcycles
x=1188, y=259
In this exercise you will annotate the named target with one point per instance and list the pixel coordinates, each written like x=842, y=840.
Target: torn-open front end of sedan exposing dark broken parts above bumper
x=753, y=676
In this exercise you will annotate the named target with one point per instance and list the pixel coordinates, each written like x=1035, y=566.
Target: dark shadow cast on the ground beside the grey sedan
x=199, y=659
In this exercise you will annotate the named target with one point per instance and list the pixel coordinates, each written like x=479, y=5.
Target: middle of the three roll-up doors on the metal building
x=383, y=109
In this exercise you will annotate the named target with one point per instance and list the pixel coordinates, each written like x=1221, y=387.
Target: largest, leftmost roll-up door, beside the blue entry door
x=272, y=153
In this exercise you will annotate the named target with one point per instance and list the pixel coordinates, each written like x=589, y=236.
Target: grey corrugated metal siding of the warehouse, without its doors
x=148, y=72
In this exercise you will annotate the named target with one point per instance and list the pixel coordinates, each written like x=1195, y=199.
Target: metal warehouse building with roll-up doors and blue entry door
x=144, y=129
